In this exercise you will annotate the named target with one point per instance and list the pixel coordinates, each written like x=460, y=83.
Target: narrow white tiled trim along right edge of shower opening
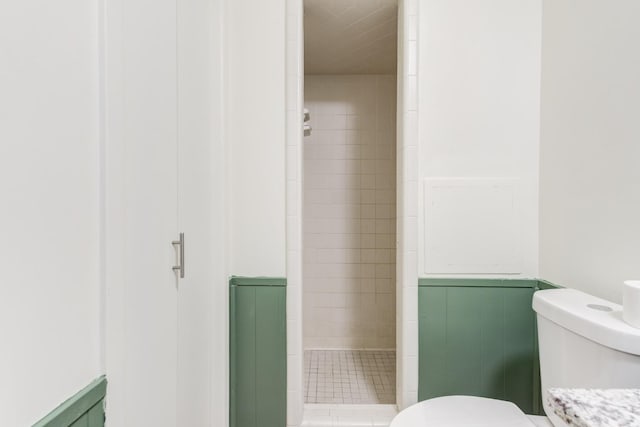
x=407, y=208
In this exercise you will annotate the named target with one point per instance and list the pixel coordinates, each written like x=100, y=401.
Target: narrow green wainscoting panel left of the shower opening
x=258, y=352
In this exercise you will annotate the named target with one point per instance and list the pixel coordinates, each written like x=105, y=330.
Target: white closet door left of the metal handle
x=142, y=220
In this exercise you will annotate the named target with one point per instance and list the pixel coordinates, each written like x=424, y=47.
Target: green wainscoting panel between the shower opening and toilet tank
x=478, y=339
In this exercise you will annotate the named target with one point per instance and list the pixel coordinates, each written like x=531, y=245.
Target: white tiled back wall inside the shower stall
x=349, y=219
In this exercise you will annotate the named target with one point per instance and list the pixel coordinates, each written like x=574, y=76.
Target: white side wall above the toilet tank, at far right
x=590, y=145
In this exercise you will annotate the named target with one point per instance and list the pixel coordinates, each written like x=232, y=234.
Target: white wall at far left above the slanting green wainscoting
x=49, y=184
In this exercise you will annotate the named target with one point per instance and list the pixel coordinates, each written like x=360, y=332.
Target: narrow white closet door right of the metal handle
x=202, y=301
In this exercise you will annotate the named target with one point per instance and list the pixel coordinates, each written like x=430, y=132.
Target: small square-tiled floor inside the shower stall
x=350, y=376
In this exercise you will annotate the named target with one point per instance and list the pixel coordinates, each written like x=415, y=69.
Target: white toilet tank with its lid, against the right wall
x=584, y=343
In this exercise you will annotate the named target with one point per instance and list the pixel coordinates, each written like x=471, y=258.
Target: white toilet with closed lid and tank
x=584, y=343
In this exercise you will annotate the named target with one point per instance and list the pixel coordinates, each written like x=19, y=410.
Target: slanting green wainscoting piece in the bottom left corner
x=85, y=409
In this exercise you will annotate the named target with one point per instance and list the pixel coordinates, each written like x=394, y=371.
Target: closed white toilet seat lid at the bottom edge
x=462, y=411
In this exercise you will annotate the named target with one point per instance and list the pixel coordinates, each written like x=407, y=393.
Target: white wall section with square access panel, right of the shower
x=479, y=82
